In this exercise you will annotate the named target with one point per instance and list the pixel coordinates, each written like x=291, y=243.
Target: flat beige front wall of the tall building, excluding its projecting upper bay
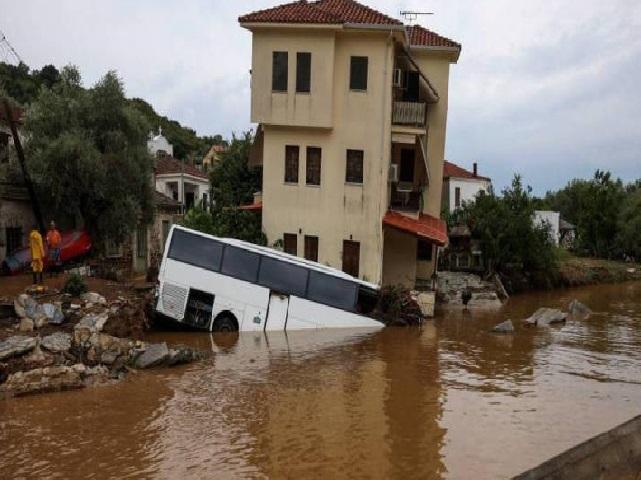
x=337, y=211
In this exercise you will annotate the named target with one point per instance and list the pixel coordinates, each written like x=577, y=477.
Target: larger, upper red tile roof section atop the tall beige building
x=320, y=12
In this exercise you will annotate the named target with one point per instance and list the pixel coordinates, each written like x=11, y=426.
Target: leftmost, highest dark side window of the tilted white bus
x=196, y=250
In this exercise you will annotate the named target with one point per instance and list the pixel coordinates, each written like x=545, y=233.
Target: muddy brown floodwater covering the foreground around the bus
x=448, y=401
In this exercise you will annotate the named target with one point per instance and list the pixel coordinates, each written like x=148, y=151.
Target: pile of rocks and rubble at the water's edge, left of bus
x=65, y=345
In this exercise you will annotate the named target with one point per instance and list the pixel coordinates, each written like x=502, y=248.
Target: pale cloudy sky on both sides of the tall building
x=546, y=88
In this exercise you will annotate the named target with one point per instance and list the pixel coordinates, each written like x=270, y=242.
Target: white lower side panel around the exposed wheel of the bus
x=244, y=300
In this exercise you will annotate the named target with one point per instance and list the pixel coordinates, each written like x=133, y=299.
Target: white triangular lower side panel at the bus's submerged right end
x=303, y=311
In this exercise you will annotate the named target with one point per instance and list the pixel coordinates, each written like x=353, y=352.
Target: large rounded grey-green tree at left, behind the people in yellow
x=87, y=154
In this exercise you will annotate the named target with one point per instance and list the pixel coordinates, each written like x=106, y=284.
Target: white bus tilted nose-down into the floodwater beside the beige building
x=222, y=284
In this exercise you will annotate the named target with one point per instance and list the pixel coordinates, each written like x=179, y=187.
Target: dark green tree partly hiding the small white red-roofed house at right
x=510, y=239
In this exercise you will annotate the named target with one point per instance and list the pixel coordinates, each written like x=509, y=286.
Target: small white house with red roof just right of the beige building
x=461, y=185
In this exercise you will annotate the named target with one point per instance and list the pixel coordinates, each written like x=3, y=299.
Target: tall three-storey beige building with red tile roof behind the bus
x=352, y=112
